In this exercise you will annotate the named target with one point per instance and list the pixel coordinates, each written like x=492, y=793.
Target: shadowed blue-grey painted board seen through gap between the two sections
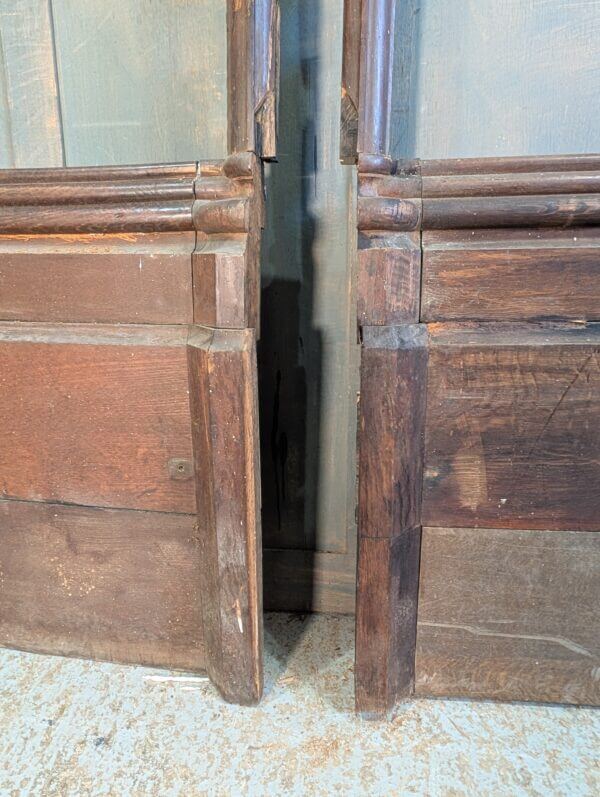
x=307, y=357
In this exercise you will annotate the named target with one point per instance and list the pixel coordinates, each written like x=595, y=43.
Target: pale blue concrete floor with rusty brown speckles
x=79, y=728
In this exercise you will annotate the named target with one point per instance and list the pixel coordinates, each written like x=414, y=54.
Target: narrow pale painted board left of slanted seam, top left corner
x=30, y=124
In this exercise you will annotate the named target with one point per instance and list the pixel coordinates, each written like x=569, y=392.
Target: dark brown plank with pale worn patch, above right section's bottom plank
x=512, y=437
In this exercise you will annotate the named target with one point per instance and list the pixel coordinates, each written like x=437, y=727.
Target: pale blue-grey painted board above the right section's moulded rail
x=496, y=77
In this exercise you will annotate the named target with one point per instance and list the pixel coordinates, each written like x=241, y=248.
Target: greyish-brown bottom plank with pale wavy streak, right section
x=509, y=615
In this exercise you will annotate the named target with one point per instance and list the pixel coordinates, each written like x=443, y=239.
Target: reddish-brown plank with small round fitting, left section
x=95, y=415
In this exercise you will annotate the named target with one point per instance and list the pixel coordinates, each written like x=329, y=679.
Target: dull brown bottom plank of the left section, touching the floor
x=100, y=583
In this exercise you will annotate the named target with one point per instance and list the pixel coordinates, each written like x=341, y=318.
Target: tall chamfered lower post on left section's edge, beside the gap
x=223, y=401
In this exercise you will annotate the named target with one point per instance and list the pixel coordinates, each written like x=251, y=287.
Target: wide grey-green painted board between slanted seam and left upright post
x=141, y=81
